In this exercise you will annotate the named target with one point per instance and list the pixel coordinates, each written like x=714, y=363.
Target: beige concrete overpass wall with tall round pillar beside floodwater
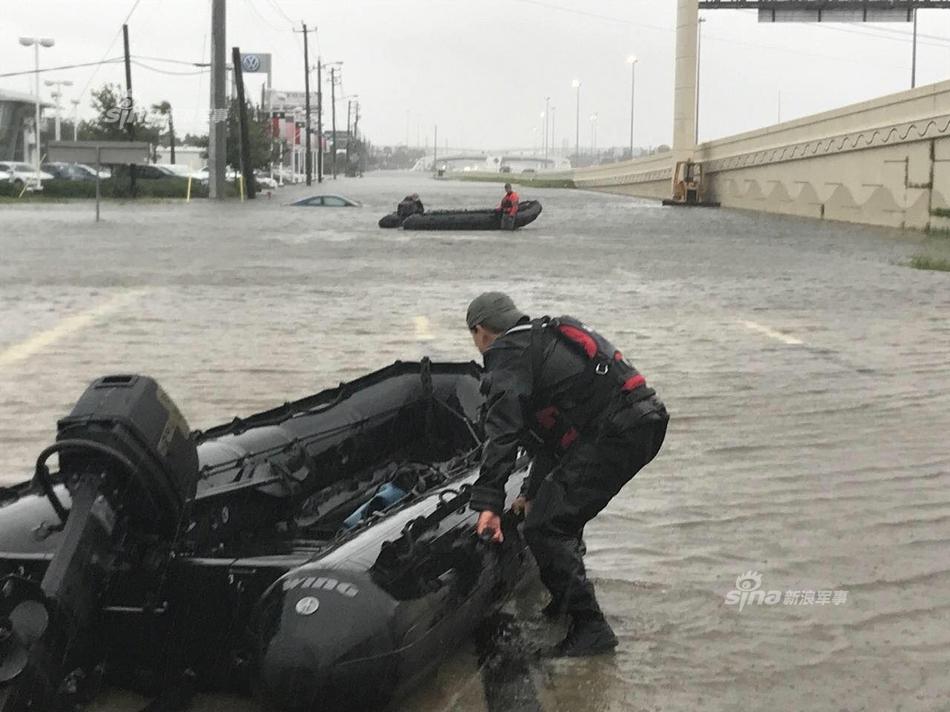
x=880, y=162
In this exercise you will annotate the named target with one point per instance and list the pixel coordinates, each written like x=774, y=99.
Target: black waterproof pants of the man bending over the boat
x=587, y=477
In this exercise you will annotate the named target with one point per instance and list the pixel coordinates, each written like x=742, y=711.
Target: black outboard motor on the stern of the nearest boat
x=128, y=465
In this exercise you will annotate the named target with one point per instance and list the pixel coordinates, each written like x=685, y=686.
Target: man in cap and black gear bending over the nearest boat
x=561, y=391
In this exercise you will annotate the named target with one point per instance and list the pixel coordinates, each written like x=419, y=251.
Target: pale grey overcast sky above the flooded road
x=481, y=69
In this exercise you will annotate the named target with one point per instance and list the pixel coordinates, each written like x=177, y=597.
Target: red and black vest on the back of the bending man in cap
x=607, y=377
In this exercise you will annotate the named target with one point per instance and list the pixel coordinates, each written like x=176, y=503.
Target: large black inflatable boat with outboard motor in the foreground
x=320, y=554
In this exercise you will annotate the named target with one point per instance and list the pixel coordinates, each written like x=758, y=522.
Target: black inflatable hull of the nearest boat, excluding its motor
x=264, y=590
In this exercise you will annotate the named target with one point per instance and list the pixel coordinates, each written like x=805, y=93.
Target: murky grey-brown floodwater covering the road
x=806, y=368
